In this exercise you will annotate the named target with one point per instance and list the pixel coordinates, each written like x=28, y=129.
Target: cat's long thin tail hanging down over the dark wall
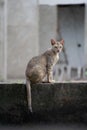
x=29, y=99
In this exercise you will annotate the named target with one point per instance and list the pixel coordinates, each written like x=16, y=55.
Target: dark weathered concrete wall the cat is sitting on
x=50, y=102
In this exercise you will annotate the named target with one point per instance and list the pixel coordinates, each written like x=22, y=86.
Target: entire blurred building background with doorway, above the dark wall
x=26, y=27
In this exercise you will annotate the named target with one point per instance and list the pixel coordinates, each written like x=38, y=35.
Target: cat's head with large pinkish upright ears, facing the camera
x=57, y=46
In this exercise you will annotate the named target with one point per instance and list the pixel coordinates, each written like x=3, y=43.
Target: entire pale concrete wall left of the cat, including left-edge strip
x=18, y=36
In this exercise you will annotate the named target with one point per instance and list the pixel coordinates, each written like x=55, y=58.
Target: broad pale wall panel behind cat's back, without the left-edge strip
x=22, y=35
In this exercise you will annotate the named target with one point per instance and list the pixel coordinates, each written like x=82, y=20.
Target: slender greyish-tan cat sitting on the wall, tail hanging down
x=41, y=66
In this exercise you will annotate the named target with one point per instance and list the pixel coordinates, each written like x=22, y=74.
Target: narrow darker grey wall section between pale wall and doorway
x=47, y=26
